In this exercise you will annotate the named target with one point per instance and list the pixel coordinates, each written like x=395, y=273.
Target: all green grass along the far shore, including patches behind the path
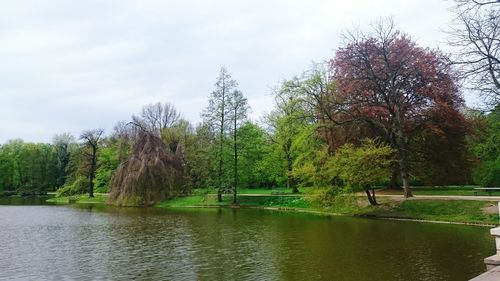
x=462, y=211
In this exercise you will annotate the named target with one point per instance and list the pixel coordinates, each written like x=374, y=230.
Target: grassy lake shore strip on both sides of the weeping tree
x=466, y=212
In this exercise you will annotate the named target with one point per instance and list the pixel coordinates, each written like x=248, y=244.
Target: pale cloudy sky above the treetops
x=68, y=66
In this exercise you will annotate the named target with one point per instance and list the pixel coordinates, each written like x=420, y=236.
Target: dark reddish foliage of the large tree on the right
x=404, y=93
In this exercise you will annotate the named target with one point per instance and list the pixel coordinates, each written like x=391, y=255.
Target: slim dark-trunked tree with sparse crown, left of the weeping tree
x=91, y=141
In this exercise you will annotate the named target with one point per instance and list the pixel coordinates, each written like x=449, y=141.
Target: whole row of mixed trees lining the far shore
x=383, y=111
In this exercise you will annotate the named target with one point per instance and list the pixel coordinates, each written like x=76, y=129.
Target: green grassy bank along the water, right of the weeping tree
x=457, y=211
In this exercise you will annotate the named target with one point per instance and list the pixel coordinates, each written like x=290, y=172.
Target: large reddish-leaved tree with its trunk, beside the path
x=387, y=82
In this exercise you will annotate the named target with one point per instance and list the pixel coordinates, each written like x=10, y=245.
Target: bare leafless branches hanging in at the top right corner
x=475, y=36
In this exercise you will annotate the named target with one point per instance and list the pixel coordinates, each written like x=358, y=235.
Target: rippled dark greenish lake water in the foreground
x=90, y=243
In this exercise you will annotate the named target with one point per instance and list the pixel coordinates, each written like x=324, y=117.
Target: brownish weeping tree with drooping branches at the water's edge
x=150, y=174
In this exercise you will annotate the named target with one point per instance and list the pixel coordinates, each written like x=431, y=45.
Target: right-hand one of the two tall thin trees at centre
x=238, y=108
